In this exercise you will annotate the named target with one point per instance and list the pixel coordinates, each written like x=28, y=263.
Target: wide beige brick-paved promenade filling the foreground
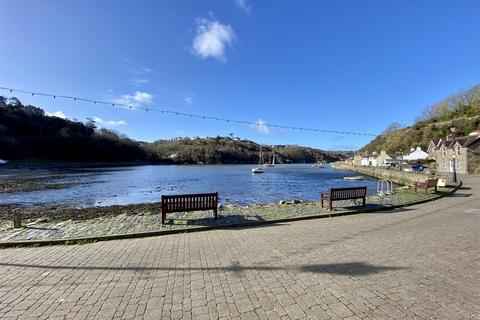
x=420, y=262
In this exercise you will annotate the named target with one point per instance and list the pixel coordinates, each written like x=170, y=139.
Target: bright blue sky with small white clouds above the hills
x=339, y=65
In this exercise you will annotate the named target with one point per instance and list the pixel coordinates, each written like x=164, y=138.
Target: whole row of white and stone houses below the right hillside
x=461, y=154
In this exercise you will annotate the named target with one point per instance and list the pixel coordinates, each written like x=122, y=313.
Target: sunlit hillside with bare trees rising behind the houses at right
x=461, y=111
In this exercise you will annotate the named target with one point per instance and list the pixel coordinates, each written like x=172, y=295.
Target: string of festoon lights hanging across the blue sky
x=181, y=114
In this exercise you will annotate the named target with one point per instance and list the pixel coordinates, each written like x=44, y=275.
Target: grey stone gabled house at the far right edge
x=461, y=154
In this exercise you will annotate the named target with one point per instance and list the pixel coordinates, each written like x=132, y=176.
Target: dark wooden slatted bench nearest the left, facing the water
x=189, y=202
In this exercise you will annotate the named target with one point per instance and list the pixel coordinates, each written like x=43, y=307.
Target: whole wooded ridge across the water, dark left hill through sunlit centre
x=27, y=133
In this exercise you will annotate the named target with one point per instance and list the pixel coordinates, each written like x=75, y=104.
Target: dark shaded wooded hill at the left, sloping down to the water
x=27, y=133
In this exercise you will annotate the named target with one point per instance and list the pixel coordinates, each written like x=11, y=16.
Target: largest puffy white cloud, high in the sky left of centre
x=212, y=39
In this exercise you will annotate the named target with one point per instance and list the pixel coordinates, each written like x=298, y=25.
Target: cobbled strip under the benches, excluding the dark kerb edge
x=125, y=223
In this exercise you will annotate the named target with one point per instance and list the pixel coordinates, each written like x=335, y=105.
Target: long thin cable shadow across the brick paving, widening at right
x=348, y=268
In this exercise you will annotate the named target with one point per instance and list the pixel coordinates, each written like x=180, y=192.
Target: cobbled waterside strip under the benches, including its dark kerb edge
x=145, y=220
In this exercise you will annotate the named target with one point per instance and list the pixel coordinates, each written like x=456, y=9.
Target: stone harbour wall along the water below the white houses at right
x=399, y=177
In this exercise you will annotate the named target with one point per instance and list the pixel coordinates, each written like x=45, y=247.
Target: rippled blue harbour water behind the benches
x=234, y=183
